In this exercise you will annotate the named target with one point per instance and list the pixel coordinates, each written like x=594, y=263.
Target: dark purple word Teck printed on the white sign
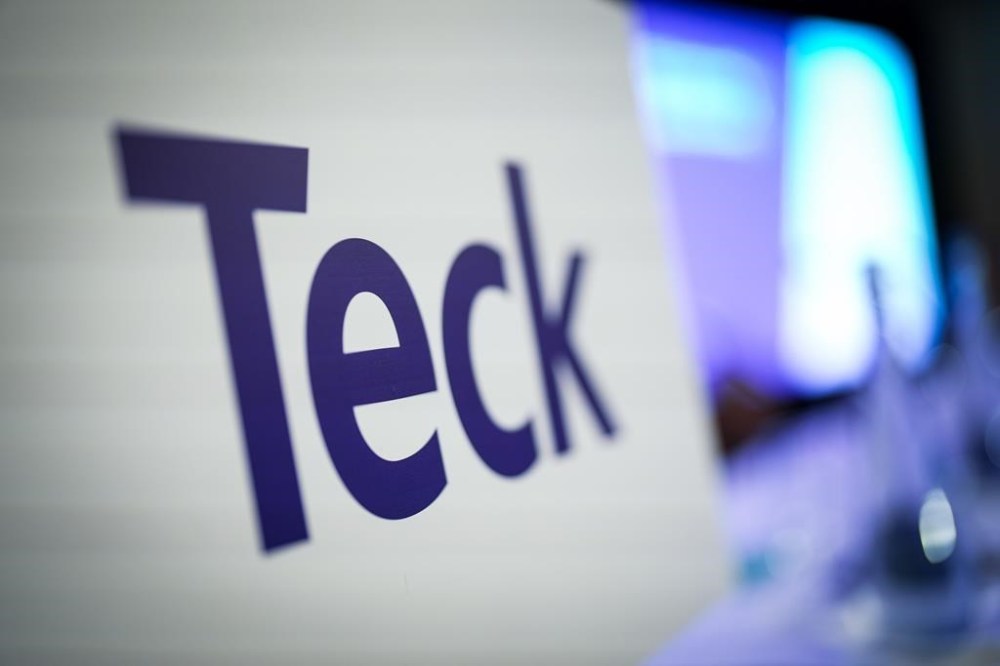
x=231, y=180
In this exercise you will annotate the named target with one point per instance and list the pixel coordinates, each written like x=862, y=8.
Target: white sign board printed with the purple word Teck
x=461, y=140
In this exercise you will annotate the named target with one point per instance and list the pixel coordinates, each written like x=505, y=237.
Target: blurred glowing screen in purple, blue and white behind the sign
x=791, y=154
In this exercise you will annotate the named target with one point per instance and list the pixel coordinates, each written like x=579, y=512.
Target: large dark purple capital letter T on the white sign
x=231, y=180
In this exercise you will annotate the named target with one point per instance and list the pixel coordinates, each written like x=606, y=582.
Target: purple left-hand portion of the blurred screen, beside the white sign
x=729, y=201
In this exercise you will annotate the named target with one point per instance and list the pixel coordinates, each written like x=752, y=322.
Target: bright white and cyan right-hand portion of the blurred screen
x=855, y=192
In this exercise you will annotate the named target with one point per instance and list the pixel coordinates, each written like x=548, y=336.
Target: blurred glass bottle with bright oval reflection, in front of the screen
x=921, y=552
